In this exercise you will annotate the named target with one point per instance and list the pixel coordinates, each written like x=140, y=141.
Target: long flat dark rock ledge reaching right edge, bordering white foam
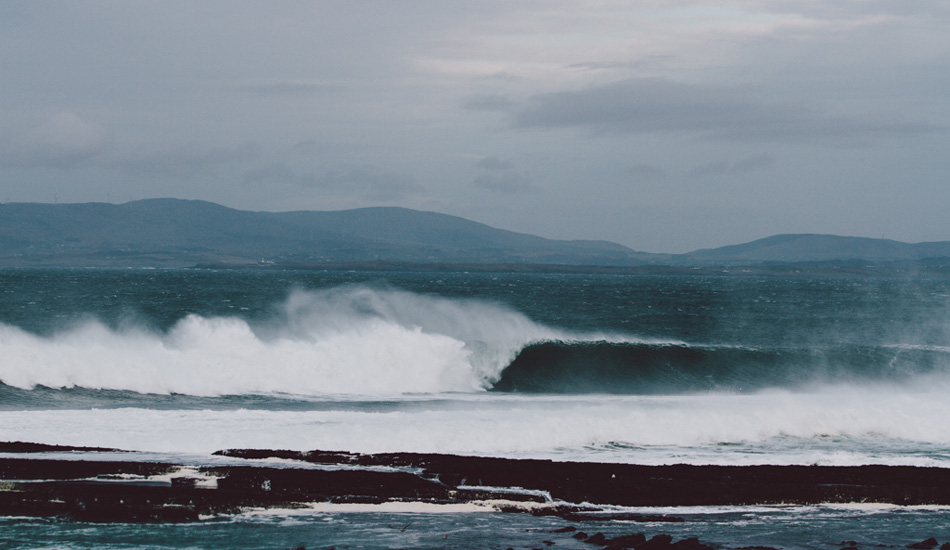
x=637, y=485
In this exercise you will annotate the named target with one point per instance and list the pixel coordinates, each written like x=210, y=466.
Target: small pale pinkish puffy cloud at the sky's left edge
x=62, y=141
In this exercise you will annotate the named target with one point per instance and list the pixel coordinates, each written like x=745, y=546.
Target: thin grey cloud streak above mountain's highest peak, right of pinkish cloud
x=187, y=160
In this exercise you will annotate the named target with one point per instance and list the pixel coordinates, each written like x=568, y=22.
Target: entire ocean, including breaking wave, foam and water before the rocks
x=737, y=369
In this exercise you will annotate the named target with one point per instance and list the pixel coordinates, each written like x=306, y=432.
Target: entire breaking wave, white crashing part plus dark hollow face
x=356, y=340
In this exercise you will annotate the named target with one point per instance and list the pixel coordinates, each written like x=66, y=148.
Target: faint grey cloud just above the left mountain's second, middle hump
x=365, y=183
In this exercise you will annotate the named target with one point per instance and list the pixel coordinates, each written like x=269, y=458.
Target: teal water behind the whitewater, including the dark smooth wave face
x=674, y=334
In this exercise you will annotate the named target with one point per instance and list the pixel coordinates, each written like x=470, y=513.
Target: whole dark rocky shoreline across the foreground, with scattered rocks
x=90, y=485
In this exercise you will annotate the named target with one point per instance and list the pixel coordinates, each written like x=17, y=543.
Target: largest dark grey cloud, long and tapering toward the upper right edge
x=647, y=105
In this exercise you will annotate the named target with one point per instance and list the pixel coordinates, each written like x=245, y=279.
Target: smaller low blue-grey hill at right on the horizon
x=816, y=248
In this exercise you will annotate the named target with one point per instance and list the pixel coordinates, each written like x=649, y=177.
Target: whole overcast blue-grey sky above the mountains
x=664, y=126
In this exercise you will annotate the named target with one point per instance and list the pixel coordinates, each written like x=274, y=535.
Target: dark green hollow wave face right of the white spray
x=658, y=368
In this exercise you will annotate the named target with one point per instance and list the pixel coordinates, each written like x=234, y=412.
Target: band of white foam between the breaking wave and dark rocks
x=847, y=428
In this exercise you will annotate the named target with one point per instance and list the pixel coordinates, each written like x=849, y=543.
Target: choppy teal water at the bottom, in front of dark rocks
x=813, y=527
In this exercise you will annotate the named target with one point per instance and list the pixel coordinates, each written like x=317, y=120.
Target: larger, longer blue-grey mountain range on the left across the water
x=173, y=232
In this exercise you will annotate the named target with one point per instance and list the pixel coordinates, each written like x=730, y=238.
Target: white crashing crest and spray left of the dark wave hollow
x=346, y=340
